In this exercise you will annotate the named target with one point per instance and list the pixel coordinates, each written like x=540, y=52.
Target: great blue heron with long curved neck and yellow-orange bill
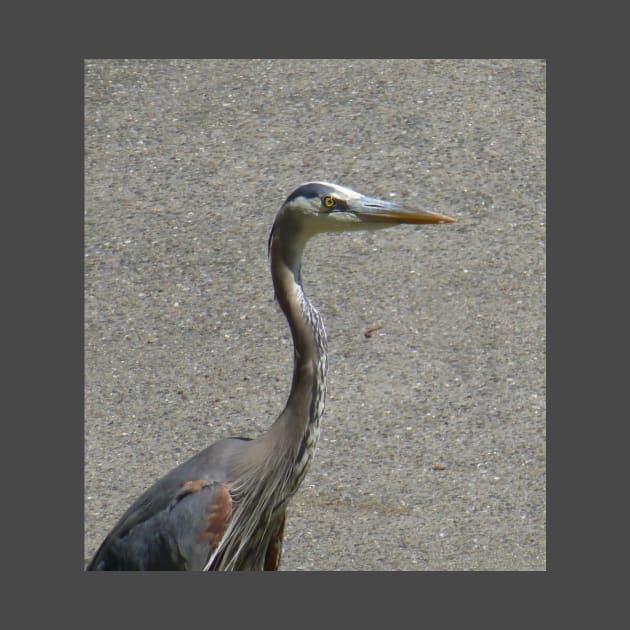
x=224, y=509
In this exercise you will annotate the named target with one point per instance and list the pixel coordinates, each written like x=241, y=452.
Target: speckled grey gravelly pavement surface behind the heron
x=432, y=453
